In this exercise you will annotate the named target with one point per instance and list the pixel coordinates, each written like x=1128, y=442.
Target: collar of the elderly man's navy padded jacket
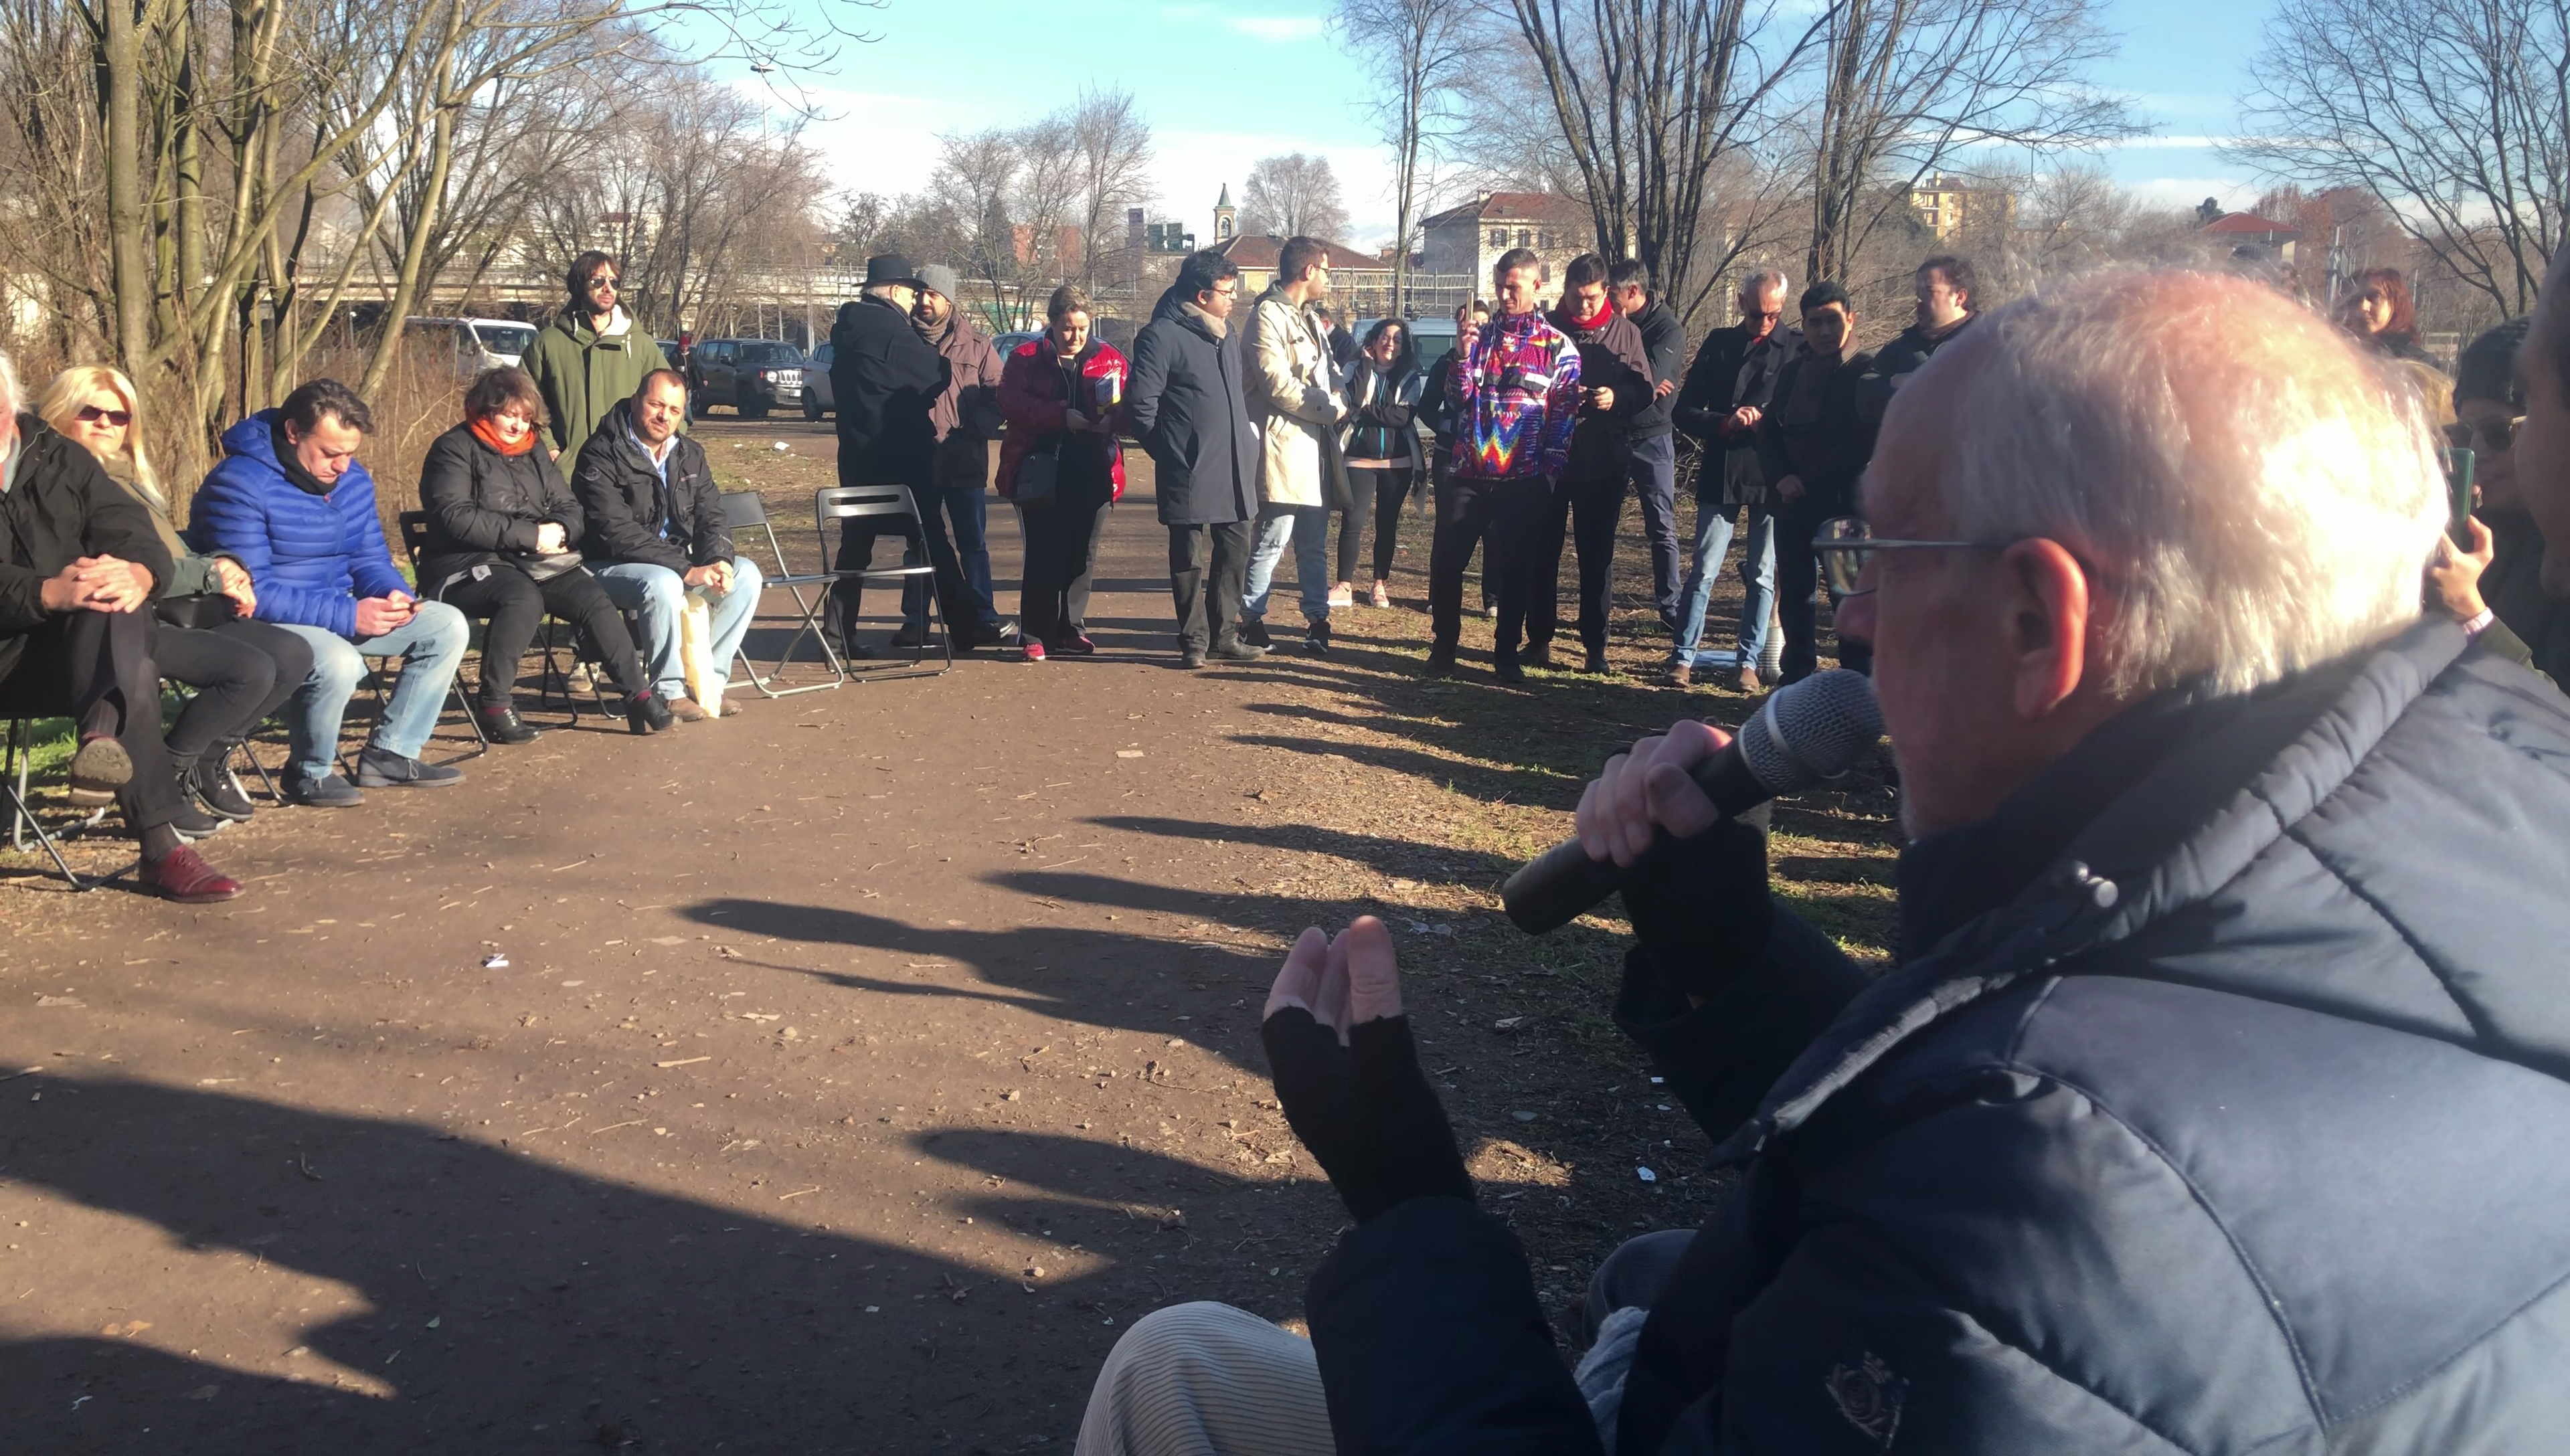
x=2170, y=828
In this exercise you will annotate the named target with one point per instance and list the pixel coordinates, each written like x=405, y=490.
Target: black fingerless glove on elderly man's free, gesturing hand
x=1366, y=1111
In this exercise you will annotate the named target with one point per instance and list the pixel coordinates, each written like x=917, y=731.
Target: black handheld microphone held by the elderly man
x=1805, y=736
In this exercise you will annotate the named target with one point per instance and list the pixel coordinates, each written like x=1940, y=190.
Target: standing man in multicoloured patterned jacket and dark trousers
x=1515, y=399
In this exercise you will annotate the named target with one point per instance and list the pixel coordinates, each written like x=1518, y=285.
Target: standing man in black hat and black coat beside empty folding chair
x=888, y=384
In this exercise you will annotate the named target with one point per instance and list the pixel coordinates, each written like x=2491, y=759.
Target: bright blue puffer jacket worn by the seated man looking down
x=310, y=556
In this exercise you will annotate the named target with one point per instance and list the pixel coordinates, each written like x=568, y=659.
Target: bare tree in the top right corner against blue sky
x=2456, y=119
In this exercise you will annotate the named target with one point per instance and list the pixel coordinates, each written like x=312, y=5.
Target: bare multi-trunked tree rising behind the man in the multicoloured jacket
x=1651, y=99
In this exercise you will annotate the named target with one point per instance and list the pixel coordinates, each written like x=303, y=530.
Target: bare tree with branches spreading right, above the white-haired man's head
x=1911, y=86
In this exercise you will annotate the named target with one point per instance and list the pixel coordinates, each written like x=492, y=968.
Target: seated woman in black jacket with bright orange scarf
x=500, y=548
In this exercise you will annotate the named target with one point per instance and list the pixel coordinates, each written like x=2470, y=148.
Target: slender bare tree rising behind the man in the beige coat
x=1417, y=53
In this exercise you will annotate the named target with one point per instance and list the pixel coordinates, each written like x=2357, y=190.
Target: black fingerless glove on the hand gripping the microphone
x=1703, y=908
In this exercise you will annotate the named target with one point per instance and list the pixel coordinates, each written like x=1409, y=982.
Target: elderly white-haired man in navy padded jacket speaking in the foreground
x=2217, y=1095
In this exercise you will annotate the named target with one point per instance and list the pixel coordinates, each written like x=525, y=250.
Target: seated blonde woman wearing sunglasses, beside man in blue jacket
x=207, y=638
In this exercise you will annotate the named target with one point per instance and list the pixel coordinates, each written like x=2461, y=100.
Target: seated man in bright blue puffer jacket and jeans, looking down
x=297, y=510
